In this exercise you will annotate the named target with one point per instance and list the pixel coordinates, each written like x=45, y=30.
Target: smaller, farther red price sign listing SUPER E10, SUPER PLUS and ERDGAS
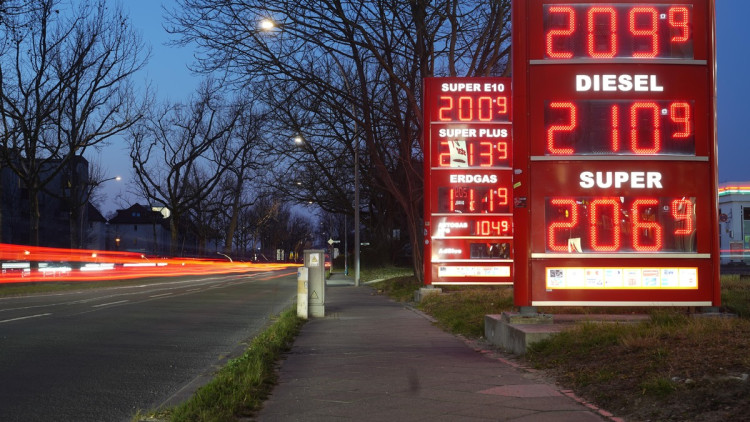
x=468, y=153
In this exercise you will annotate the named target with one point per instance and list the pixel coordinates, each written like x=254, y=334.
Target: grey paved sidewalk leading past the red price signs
x=372, y=359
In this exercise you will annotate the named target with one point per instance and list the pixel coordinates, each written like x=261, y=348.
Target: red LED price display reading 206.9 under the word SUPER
x=620, y=224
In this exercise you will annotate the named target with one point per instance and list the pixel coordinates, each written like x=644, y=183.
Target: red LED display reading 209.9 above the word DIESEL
x=602, y=31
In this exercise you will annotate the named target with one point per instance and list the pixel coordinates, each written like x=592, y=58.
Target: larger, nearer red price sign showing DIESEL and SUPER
x=615, y=153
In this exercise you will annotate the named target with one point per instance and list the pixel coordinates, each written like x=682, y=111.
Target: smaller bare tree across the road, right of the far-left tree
x=181, y=153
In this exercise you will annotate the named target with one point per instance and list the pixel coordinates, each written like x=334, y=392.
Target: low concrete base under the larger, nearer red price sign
x=516, y=332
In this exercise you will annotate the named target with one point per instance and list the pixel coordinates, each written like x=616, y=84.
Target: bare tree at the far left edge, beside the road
x=64, y=88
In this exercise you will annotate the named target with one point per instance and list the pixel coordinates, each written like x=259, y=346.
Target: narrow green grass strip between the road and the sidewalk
x=239, y=388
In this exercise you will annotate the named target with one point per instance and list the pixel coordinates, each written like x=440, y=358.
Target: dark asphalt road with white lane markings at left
x=100, y=355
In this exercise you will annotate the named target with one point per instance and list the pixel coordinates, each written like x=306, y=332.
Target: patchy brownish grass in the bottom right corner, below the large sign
x=663, y=369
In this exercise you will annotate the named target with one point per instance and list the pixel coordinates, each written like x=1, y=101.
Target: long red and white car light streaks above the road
x=24, y=264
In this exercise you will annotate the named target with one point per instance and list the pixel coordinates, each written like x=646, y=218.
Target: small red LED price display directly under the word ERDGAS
x=473, y=199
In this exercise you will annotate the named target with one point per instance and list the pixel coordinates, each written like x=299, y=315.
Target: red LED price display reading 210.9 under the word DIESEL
x=619, y=127
